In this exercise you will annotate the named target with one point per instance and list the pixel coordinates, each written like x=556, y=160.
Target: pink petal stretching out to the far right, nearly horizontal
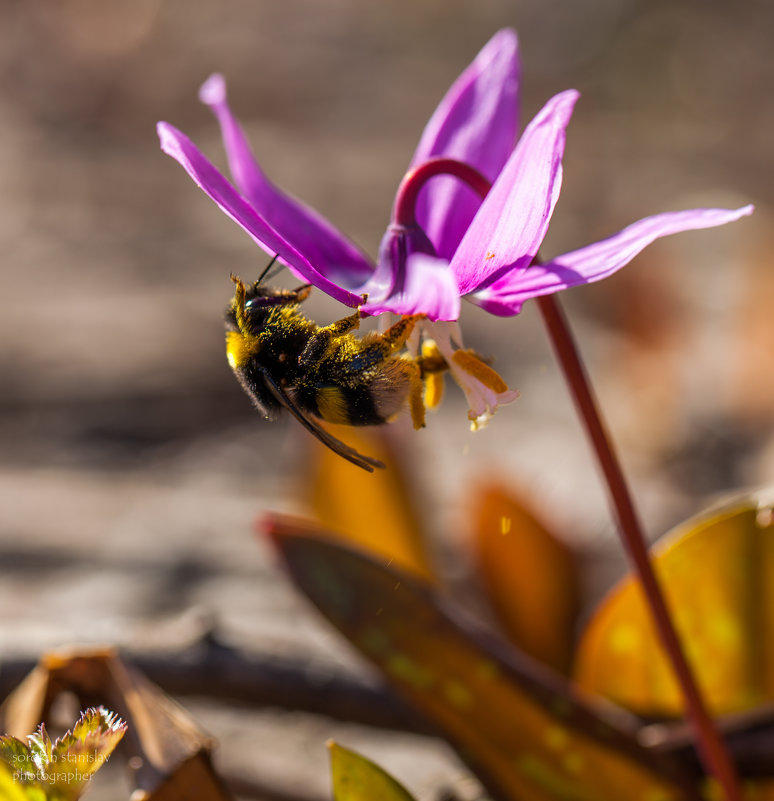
x=594, y=262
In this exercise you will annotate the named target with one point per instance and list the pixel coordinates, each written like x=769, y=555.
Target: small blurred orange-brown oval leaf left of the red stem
x=528, y=574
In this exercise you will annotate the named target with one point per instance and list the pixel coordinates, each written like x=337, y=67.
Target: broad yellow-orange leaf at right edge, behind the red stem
x=717, y=571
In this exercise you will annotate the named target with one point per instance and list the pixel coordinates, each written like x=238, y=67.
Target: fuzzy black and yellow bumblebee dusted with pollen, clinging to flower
x=284, y=360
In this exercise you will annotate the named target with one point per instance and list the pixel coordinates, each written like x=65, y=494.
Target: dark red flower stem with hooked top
x=711, y=747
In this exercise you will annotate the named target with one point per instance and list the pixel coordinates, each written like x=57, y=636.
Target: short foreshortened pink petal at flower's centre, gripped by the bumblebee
x=428, y=288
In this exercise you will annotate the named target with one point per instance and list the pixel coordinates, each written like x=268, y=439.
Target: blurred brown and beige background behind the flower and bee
x=131, y=464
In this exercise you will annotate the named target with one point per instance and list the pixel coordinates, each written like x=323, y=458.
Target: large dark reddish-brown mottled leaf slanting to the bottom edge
x=518, y=726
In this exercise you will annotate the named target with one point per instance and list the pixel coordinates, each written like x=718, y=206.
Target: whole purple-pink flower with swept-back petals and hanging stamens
x=455, y=245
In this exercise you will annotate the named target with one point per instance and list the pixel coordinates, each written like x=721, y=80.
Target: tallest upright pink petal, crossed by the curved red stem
x=476, y=122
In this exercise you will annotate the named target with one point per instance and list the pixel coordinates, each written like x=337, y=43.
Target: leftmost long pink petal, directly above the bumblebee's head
x=207, y=177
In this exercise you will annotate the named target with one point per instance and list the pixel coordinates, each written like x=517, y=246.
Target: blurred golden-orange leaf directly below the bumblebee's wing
x=373, y=510
